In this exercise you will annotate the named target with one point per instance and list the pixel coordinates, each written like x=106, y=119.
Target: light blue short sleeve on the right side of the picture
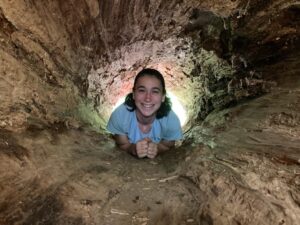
x=172, y=128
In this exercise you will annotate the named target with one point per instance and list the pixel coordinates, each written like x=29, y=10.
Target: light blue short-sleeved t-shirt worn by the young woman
x=124, y=122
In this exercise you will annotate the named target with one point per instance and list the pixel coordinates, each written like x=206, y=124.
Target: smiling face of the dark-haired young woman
x=148, y=96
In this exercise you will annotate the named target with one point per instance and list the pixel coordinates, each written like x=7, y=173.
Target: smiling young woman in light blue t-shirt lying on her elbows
x=144, y=125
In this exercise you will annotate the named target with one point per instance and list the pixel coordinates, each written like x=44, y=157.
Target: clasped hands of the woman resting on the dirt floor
x=146, y=148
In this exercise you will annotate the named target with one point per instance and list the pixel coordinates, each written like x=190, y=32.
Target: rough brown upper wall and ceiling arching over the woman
x=57, y=52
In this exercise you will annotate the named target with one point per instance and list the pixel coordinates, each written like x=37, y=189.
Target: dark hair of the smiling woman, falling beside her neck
x=165, y=106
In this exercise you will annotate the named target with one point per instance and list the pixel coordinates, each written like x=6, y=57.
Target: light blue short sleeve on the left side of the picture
x=117, y=122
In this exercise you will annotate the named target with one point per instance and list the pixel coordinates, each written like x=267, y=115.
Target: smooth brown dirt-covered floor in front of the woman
x=250, y=174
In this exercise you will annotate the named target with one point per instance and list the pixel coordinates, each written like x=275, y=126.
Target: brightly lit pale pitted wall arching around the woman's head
x=188, y=75
